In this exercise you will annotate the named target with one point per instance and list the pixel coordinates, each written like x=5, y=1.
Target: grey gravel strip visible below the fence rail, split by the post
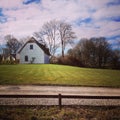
x=51, y=101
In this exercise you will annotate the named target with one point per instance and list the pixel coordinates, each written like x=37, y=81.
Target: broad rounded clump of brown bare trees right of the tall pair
x=93, y=52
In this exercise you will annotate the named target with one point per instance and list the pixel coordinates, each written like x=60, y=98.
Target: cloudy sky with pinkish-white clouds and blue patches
x=89, y=18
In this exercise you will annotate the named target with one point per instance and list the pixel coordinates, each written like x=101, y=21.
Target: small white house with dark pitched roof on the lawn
x=33, y=52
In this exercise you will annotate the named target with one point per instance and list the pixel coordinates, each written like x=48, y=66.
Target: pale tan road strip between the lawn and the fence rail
x=53, y=90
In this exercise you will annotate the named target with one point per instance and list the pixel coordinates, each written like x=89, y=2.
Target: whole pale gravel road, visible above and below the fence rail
x=55, y=90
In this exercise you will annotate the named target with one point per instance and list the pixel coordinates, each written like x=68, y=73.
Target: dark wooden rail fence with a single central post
x=60, y=97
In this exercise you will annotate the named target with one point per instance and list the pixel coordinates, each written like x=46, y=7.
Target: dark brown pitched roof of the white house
x=33, y=40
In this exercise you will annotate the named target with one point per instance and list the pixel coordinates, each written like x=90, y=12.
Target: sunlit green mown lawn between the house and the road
x=58, y=74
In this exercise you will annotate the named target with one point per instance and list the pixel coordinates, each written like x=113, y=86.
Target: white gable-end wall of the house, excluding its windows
x=36, y=52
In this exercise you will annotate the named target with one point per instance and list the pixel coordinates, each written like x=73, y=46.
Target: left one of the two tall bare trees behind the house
x=48, y=36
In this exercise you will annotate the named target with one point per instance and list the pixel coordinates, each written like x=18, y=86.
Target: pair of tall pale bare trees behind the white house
x=56, y=34
